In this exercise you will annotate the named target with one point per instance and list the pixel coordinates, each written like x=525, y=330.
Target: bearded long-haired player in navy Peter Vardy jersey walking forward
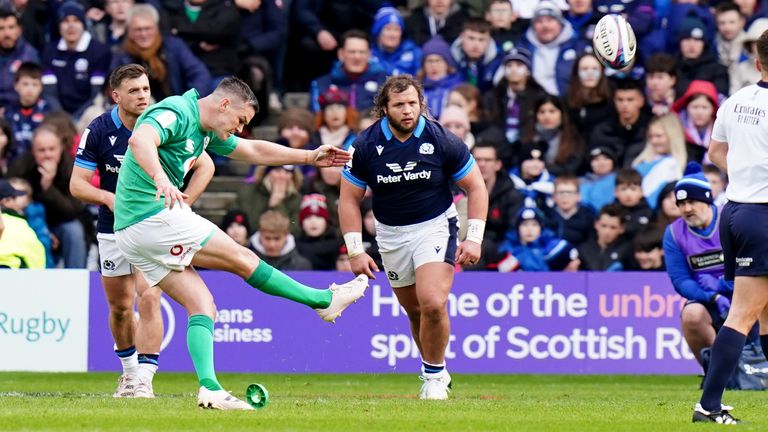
x=409, y=161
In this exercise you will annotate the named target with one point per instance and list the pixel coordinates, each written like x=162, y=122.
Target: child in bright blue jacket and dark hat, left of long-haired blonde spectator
x=597, y=186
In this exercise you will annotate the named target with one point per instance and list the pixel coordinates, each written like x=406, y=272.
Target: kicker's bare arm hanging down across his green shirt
x=144, y=143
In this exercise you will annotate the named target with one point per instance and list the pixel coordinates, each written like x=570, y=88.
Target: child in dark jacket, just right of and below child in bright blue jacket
x=629, y=195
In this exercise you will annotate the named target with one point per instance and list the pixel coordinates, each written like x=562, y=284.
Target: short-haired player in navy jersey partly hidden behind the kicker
x=102, y=148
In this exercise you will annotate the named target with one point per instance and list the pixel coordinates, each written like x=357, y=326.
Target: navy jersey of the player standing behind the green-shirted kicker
x=102, y=147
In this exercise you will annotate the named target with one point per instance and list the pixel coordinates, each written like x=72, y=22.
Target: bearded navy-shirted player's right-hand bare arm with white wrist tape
x=468, y=251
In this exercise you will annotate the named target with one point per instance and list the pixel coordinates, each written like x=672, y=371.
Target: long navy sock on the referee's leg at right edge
x=725, y=357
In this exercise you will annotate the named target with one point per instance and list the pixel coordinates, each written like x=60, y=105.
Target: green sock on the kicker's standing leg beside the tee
x=200, y=345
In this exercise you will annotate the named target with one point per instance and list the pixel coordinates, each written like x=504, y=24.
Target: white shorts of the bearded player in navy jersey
x=405, y=248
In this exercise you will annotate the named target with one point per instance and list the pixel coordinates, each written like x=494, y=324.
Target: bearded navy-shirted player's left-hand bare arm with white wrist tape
x=351, y=226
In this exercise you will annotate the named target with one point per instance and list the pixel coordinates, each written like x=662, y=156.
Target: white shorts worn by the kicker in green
x=164, y=242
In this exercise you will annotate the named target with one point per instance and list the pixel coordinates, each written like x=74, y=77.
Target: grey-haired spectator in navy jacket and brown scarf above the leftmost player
x=172, y=67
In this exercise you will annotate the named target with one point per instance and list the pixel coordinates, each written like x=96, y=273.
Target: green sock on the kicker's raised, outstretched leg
x=274, y=282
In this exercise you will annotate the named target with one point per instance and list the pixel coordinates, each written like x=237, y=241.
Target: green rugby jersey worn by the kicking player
x=177, y=120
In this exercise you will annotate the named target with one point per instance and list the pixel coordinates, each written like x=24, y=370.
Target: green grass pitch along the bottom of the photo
x=36, y=401
